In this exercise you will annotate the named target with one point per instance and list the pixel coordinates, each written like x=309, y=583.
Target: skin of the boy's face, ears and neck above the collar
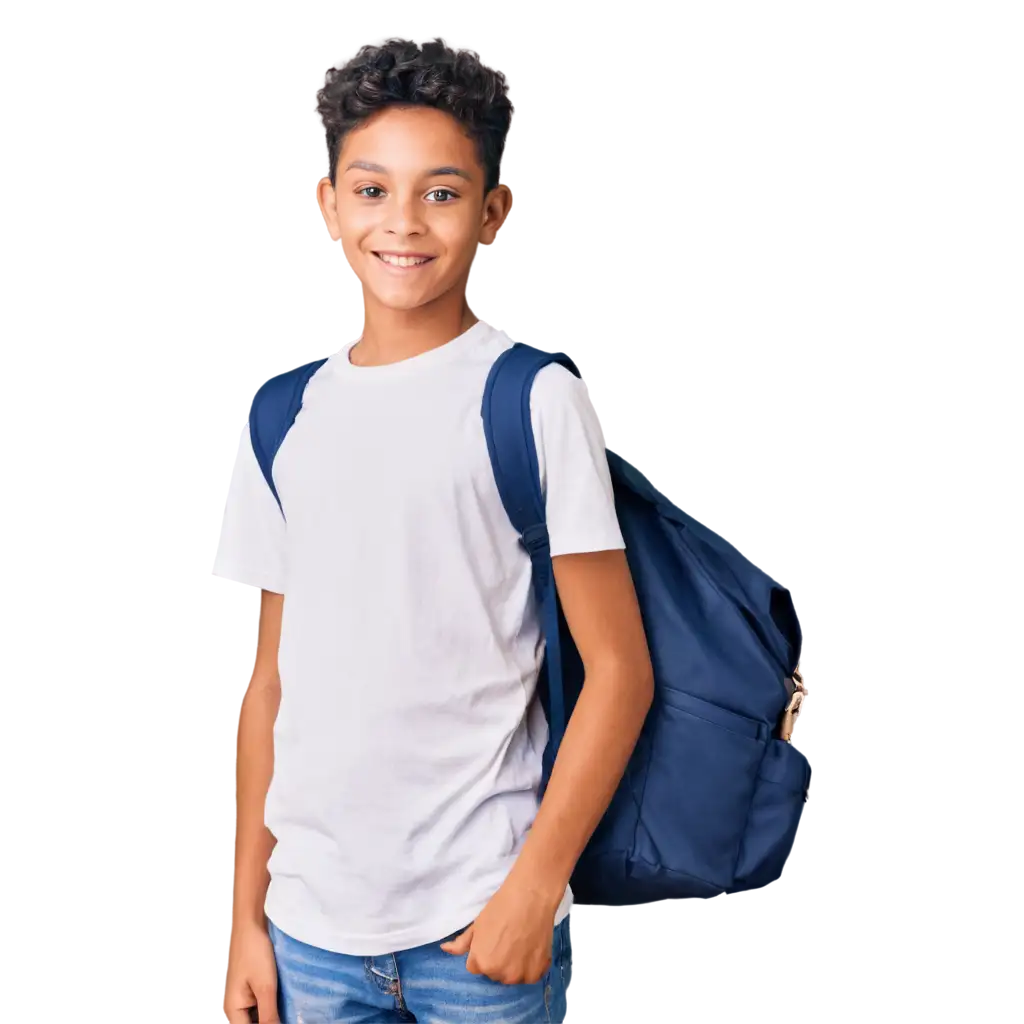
x=407, y=206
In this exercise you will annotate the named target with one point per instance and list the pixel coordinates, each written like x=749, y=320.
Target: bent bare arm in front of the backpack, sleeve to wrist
x=600, y=602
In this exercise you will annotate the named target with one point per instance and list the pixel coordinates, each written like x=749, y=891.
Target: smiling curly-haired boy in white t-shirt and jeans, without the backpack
x=405, y=872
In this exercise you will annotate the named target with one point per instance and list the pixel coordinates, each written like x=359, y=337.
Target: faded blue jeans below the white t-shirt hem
x=424, y=985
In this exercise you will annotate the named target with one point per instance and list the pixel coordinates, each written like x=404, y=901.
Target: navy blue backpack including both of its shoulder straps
x=713, y=794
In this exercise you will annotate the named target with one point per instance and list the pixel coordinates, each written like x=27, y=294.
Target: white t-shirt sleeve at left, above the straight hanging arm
x=249, y=543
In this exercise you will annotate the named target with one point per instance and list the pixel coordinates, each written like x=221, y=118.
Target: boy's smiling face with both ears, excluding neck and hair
x=409, y=185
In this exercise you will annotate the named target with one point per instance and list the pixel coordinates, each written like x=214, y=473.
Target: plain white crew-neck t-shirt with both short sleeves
x=408, y=743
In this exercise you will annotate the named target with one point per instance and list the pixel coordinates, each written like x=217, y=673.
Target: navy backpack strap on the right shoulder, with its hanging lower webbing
x=509, y=433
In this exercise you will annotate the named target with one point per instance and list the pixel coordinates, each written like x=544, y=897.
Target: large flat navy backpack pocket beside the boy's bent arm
x=697, y=797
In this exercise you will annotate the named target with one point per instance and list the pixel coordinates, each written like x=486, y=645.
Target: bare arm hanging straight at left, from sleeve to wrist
x=254, y=765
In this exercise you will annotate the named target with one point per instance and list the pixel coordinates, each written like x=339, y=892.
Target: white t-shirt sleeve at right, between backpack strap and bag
x=574, y=465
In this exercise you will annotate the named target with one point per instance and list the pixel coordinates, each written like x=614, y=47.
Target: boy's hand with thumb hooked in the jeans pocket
x=510, y=942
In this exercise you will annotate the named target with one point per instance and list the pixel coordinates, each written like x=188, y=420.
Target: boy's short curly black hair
x=411, y=71
